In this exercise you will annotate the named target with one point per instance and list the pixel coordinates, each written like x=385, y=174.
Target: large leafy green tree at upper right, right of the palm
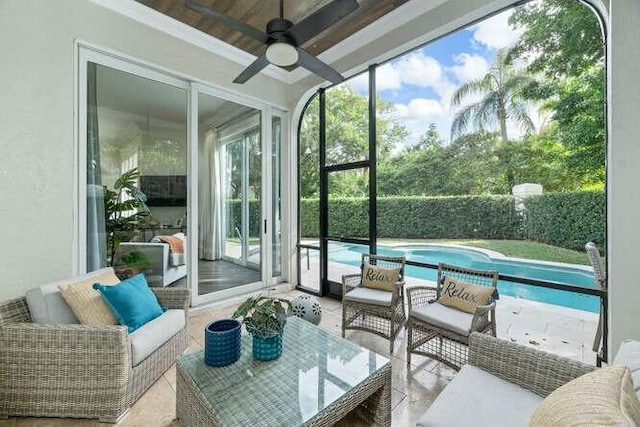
x=563, y=41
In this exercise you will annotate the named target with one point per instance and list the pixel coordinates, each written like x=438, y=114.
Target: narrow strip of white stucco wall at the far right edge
x=623, y=172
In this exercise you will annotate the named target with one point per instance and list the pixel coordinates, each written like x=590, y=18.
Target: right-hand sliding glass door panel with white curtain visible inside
x=239, y=207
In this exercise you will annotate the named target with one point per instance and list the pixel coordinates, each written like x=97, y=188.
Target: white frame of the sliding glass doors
x=87, y=52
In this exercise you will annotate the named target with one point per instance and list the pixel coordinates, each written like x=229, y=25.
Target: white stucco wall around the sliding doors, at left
x=37, y=122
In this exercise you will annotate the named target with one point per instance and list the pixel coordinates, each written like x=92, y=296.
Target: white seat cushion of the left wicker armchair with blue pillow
x=150, y=336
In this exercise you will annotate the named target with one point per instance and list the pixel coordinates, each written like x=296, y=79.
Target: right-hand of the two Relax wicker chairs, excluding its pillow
x=441, y=332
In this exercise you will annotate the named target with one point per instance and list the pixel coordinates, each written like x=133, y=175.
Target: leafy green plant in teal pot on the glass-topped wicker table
x=265, y=317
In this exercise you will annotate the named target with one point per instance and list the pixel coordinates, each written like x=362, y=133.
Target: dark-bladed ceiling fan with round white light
x=284, y=38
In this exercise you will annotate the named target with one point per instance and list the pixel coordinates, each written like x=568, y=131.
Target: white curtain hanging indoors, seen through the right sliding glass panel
x=210, y=189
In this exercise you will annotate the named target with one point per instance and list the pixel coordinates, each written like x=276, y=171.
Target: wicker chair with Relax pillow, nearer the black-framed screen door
x=373, y=301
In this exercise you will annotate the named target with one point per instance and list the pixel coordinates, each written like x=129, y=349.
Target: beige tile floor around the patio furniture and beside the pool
x=554, y=329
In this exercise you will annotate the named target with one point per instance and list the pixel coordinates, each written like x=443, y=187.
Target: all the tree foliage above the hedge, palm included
x=557, y=65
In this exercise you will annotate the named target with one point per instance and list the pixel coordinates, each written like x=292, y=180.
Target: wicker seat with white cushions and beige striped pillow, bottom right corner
x=505, y=384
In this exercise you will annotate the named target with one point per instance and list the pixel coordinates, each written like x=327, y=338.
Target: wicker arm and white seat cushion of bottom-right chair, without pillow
x=506, y=369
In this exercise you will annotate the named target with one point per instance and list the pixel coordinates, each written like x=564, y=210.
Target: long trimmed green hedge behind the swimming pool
x=568, y=220
